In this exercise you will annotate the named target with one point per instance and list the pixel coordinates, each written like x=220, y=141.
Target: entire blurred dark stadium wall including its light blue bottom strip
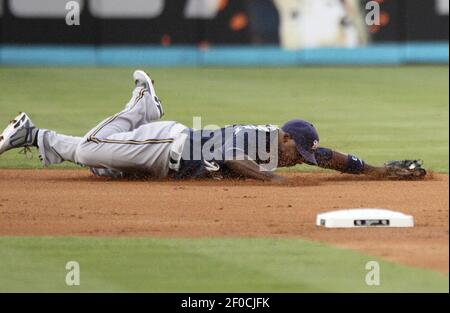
x=223, y=32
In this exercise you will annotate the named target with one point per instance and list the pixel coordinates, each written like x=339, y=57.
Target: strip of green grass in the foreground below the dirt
x=209, y=265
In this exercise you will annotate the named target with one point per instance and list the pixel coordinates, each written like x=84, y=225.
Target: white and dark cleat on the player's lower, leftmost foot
x=19, y=133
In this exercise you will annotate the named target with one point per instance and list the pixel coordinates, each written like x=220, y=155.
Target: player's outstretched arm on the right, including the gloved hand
x=347, y=163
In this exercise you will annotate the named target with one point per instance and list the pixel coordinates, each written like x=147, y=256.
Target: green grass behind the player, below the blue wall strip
x=377, y=113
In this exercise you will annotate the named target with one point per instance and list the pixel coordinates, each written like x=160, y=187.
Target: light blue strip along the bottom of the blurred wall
x=377, y=54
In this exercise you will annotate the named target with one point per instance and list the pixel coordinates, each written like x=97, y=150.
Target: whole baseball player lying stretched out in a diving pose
x=136, y=143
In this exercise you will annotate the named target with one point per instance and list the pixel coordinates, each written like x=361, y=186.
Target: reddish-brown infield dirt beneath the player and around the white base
x=74, y=202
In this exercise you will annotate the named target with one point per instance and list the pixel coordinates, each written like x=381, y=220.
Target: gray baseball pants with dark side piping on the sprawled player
x=130, y=140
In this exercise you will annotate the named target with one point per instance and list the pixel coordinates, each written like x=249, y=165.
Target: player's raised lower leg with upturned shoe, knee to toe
x=143, y=107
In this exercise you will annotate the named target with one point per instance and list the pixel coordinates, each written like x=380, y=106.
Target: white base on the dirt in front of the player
x=364, y=218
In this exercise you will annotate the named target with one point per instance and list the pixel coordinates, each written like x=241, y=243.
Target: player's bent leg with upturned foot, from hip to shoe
x=131, y=139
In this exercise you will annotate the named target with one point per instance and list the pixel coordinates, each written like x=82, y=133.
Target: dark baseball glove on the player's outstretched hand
x=405, y=169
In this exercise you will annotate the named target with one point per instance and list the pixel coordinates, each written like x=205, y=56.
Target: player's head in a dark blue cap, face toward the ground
x=298, y=141
